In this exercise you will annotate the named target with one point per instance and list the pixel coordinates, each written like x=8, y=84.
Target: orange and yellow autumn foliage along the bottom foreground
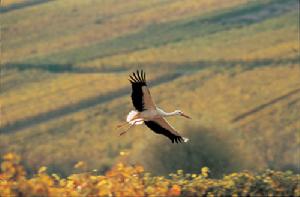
x=129, y=180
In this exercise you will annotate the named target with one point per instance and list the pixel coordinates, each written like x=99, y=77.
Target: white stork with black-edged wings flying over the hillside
x=147, y=112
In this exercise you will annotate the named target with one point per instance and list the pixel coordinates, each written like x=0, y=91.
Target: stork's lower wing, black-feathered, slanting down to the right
x=161, y=126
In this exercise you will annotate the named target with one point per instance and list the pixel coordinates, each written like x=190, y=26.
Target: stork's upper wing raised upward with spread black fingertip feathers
x=141, y=97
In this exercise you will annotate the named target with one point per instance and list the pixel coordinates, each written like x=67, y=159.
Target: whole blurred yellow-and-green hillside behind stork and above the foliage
x=232, y=65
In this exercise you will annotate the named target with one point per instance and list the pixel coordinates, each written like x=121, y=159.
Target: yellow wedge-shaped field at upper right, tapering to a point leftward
x=282, y=44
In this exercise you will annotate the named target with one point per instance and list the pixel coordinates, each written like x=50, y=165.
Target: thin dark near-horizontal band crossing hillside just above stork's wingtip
x=68, y=68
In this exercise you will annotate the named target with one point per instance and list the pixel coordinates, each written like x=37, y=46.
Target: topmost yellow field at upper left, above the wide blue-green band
x=115, y=19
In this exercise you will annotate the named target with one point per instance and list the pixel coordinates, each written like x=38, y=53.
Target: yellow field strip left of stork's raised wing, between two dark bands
x=56, y=92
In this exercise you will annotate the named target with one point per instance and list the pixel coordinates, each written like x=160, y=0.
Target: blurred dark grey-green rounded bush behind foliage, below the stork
x=207, y=147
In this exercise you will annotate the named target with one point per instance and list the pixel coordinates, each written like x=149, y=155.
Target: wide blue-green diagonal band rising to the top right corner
x=160, y=34
